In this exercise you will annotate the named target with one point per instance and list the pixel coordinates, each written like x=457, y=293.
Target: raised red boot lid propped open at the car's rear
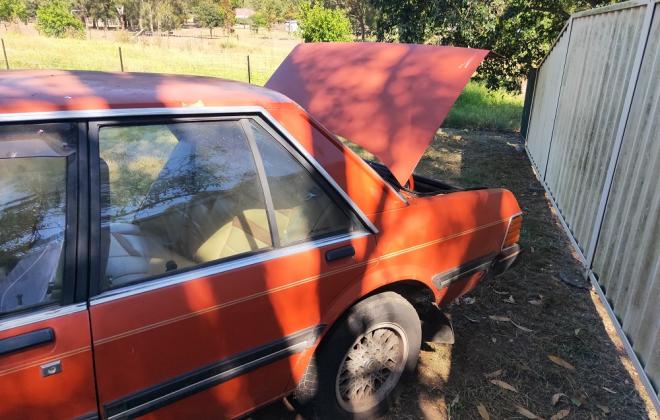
x=389, y=99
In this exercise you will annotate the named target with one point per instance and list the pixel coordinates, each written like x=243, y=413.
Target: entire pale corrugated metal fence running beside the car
x=599, y=158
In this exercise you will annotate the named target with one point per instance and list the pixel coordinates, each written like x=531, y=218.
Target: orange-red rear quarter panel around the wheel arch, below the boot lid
x=431, y=236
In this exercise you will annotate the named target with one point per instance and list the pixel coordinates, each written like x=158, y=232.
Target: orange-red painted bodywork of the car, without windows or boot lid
x=257, y=319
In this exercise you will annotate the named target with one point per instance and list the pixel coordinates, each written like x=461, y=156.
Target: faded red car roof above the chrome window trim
x=62, y=90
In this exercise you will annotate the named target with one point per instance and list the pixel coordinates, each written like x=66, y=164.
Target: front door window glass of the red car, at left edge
x=34, y=162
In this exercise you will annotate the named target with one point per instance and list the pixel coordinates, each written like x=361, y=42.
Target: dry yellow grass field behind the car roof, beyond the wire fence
x=242, y=56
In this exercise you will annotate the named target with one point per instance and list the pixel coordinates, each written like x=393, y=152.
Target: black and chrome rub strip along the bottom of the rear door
x=187, y=384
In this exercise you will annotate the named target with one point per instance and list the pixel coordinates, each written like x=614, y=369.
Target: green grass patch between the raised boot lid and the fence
x=484, y=109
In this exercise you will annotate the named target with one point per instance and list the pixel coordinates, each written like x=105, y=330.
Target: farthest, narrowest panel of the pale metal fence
x=544, y=105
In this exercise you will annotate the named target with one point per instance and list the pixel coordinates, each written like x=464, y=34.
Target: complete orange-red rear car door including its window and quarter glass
x=219, y=247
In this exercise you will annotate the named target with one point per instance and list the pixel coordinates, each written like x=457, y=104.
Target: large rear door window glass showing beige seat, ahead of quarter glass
x=175, y=196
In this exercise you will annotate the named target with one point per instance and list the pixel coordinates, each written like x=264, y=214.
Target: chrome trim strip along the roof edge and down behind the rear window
x=192, y=112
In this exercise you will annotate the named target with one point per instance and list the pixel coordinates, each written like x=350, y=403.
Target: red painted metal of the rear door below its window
x=217, y=317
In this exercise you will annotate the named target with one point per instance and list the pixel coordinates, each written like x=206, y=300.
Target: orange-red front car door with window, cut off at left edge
x=46, y=368
